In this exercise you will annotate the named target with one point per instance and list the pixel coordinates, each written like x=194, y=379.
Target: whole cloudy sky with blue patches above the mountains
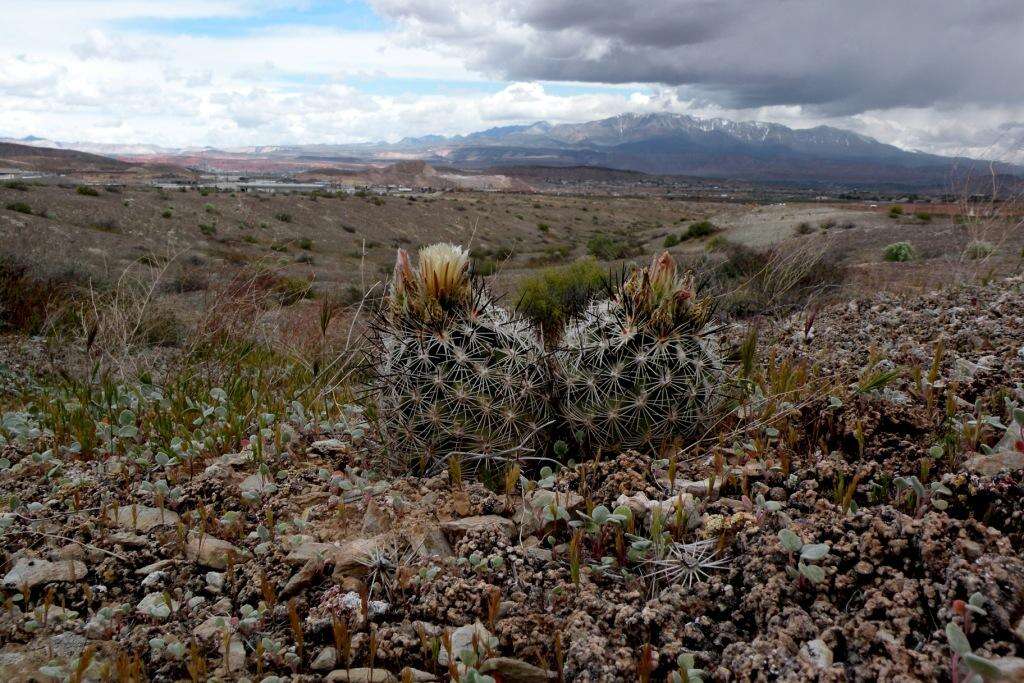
x=945, y=76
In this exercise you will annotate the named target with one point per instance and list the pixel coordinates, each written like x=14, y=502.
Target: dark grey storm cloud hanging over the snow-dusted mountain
x=839, y=57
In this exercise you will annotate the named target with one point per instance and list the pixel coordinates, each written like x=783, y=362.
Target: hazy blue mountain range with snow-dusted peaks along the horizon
x=661, y=144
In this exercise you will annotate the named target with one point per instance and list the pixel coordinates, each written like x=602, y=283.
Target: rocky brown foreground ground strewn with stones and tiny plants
x=865, y=495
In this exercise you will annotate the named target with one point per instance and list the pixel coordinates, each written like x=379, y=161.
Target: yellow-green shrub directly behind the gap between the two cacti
x=556, y=294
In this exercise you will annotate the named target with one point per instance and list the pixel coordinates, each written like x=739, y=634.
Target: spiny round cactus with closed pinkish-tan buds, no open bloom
x=644, y=367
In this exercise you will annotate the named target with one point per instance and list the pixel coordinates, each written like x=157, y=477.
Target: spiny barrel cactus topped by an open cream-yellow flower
x=454, y=374
